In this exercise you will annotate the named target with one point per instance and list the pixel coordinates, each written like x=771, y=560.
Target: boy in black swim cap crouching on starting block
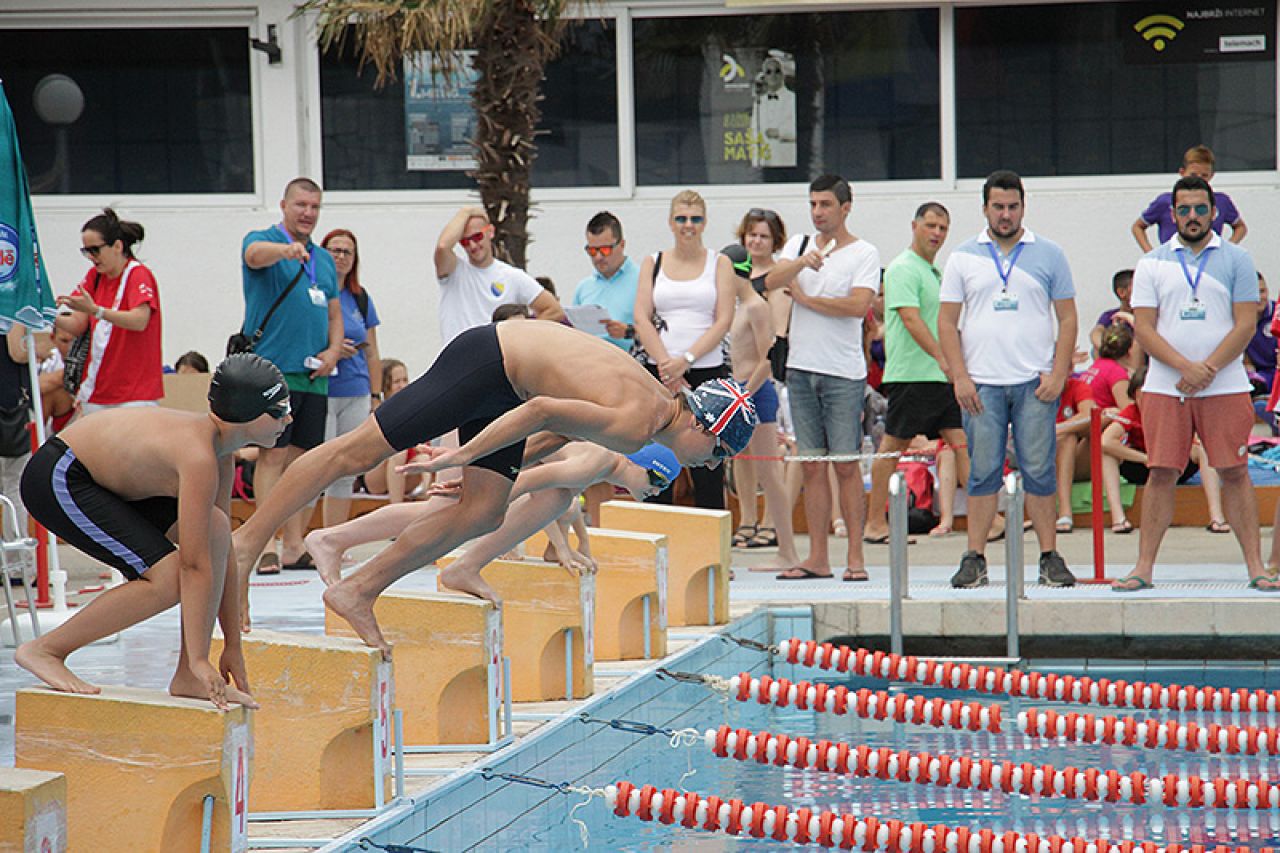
x=117, y=483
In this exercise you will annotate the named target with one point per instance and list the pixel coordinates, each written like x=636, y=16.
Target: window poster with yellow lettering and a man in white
x=752, y=110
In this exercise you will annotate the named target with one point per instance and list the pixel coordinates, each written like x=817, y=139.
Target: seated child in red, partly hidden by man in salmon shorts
x=1124, y=453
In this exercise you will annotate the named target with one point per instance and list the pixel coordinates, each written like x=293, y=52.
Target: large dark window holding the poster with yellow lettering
x=772, y=98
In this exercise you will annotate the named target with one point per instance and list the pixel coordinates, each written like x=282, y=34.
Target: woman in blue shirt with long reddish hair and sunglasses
x=360, y=368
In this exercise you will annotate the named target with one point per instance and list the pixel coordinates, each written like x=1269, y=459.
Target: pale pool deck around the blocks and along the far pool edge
x=1201, y=597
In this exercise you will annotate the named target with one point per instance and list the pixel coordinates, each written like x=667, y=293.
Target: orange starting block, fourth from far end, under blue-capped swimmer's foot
x=447, y=658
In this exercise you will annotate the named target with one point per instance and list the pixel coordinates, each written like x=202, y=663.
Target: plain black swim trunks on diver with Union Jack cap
x=465, y=390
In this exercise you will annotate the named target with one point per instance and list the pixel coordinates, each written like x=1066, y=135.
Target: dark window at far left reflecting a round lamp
x=132, y=111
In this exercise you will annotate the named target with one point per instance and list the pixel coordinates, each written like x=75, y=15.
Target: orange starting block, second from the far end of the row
x=630, y=592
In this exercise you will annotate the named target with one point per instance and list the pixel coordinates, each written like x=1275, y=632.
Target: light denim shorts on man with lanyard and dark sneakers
x=1035, y=440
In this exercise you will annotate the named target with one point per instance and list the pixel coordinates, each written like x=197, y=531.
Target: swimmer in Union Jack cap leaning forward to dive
x=499, y=386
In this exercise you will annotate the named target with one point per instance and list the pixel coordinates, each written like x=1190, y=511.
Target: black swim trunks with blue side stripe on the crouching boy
x=62, y=495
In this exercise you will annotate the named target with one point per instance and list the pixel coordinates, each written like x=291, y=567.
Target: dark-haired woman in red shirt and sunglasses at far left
x=118, y=304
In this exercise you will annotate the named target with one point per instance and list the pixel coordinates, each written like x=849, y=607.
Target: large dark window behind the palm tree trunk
x=414, y=134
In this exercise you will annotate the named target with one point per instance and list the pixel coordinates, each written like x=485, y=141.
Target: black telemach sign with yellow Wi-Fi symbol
x=1224, y=31
